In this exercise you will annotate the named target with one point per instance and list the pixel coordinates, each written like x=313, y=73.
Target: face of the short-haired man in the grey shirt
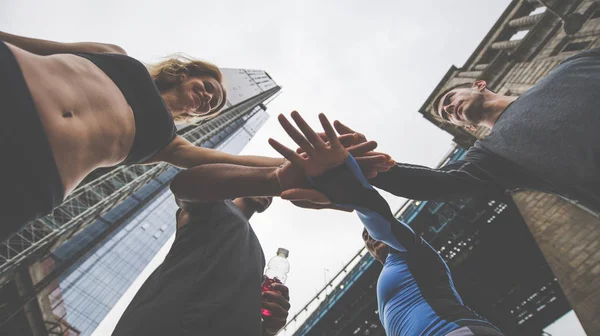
x=462, y=106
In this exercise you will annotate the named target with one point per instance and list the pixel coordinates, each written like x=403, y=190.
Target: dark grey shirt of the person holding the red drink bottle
x=208, y=284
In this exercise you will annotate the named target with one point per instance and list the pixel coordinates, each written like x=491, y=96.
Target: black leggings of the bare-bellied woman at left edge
x=30, y=185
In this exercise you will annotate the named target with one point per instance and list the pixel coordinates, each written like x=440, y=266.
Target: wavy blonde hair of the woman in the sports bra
x=169, y=73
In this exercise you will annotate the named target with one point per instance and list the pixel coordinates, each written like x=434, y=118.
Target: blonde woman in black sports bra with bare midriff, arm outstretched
x=69, y=108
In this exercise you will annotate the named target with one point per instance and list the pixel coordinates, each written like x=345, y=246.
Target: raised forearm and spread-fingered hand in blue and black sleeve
x=339, y=180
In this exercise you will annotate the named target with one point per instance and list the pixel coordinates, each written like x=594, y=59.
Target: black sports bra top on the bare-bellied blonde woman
x=154, y=126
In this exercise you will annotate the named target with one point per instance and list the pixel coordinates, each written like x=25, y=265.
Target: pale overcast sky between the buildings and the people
x=370, y=64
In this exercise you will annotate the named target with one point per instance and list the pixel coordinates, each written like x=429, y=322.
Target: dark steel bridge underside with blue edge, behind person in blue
x=497, y=268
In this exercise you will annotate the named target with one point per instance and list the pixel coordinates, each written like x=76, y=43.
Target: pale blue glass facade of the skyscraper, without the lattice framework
x=127, y=238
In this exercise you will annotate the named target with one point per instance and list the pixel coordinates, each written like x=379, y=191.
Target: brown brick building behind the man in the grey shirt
x=530, y=38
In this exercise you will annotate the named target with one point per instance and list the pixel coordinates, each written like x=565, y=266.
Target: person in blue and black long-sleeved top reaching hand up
x=415, y=292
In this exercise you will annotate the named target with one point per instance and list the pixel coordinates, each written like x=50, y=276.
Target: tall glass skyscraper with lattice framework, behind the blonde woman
x=71, y=283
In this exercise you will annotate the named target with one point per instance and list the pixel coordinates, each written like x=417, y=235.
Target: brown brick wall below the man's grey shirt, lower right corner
x=569, y=237
